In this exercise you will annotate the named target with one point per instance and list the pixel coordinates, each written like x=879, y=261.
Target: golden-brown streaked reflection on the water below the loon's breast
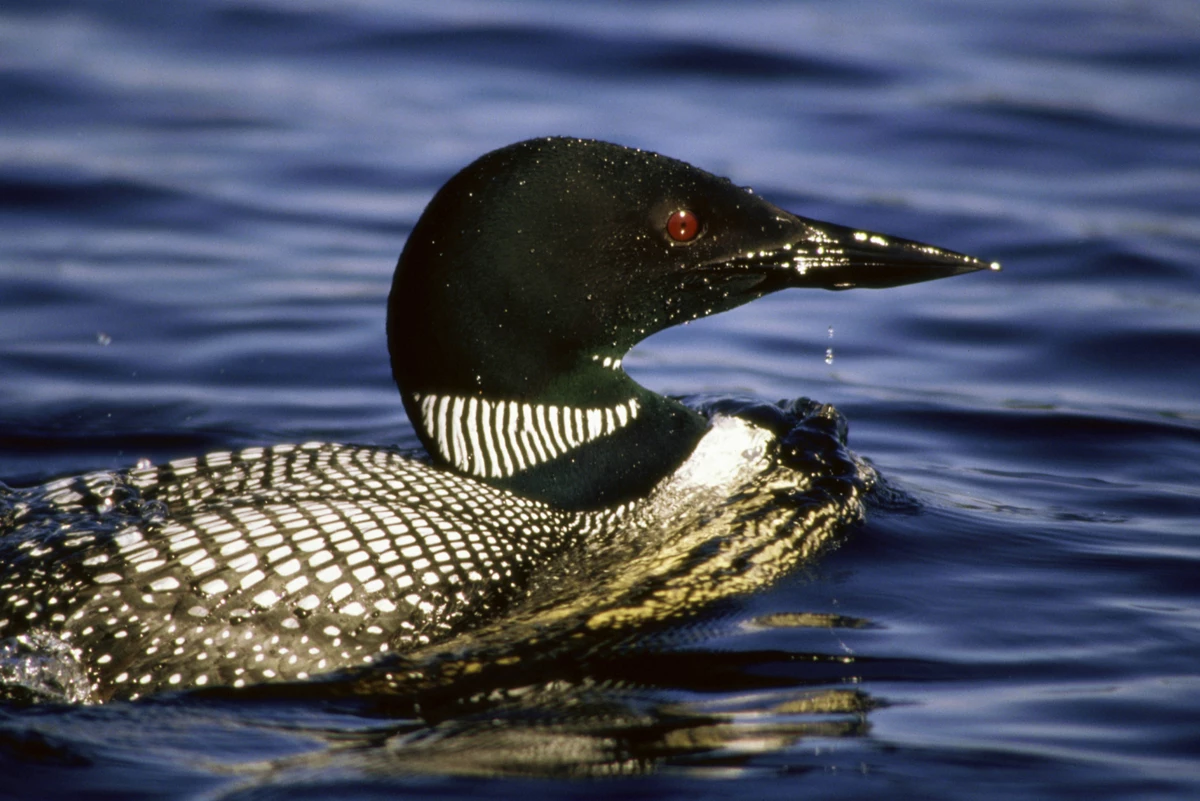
x=574, y=732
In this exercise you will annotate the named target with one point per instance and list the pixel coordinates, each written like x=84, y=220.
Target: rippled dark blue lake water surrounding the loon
x=201, y=206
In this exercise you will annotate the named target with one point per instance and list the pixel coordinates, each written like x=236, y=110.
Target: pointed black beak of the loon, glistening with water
x=833, y=257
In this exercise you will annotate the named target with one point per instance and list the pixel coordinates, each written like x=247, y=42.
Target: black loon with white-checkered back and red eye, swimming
x=521, y=288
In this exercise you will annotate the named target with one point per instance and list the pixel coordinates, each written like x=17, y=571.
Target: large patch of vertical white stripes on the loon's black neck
x=495, y=439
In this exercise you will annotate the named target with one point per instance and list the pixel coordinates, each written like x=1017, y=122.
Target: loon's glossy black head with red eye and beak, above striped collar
x=538, y=267
